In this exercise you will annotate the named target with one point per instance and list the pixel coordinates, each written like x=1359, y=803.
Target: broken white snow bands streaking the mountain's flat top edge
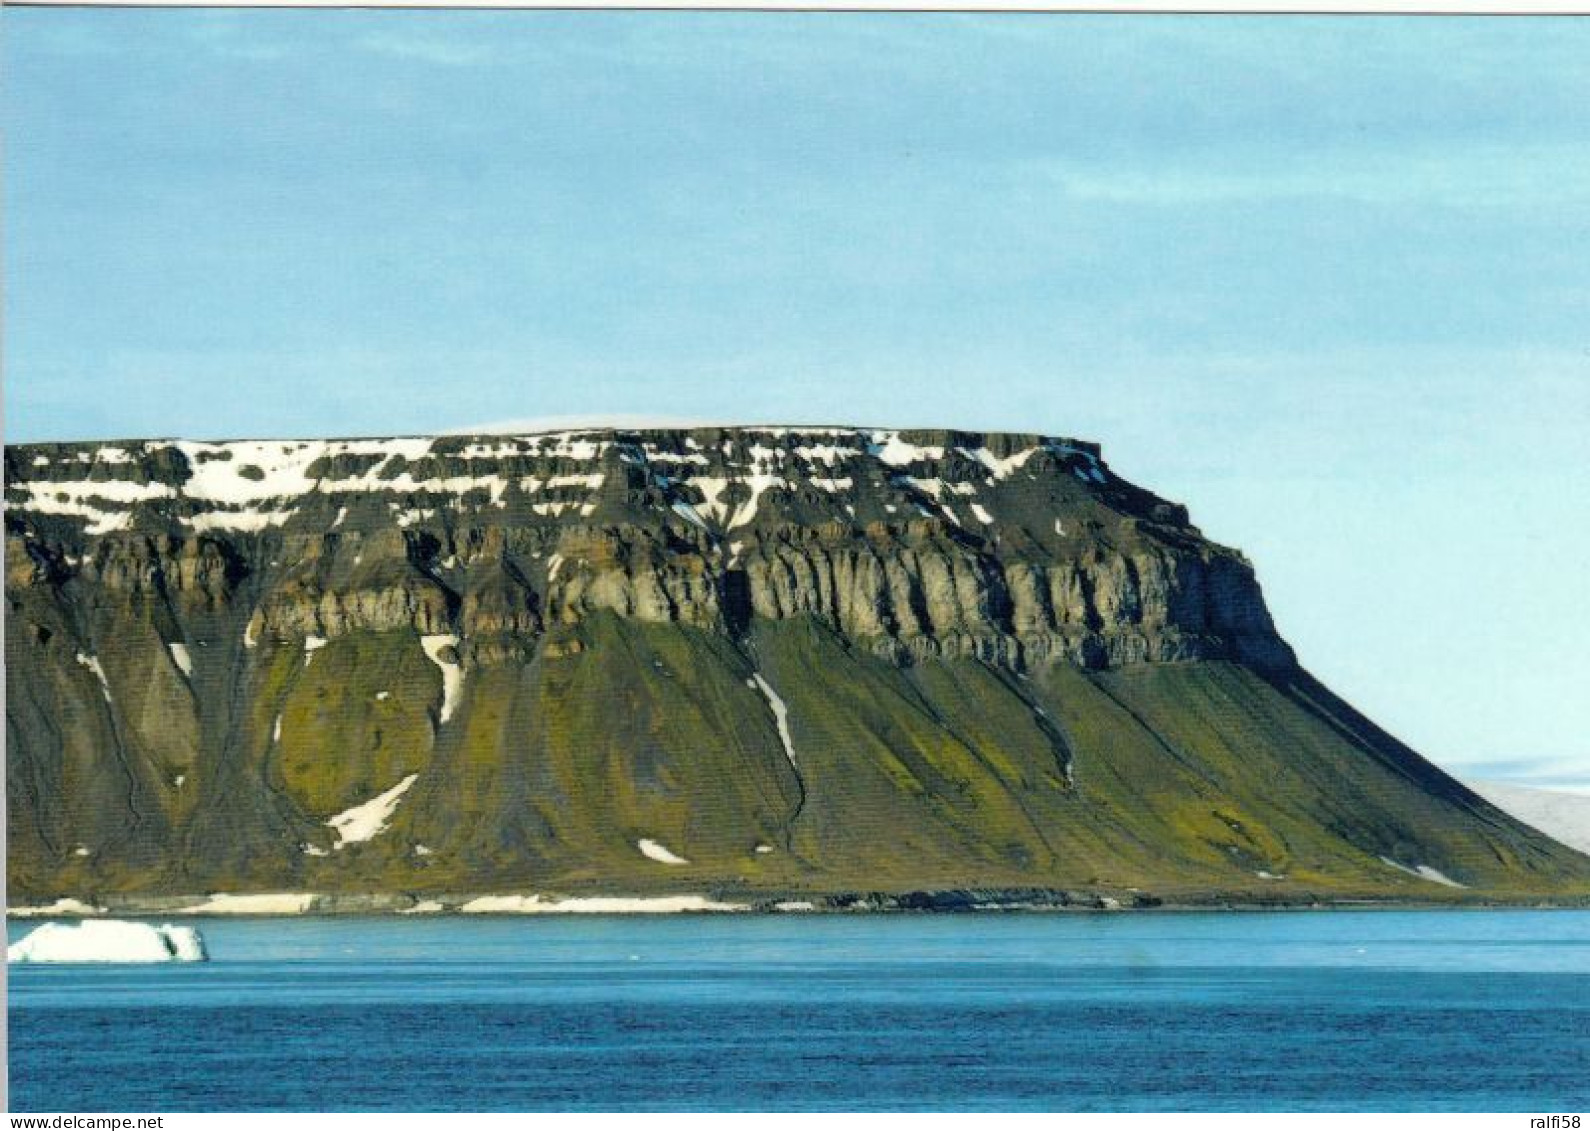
x=255, y=486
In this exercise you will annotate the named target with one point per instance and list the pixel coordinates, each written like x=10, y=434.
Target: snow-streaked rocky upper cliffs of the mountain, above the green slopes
x=1015, y=550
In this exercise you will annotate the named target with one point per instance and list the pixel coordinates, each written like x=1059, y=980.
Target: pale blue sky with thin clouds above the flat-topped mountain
x=1327, y=281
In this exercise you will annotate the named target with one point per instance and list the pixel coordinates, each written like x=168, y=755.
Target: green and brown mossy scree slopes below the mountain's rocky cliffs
x=1179, y=780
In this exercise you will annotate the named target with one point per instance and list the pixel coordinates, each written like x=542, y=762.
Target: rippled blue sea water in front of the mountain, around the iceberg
x=1452, y=1011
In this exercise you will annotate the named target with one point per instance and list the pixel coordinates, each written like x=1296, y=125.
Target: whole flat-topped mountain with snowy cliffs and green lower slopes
x=475, y=663
